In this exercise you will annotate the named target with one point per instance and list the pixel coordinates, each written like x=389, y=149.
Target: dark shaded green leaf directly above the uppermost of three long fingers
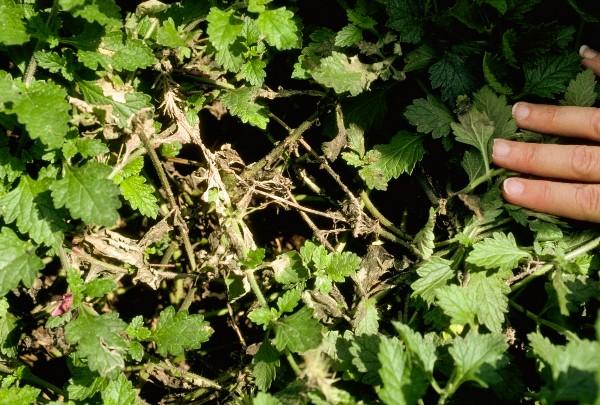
x=549, y=75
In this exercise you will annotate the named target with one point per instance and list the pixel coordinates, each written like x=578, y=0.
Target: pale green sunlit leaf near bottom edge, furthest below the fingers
x=474, y=353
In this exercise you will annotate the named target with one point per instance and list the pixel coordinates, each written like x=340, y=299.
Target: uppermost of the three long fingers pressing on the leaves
x=580, y=122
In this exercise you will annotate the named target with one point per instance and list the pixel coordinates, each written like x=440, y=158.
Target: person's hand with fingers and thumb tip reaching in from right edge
x=567, y=179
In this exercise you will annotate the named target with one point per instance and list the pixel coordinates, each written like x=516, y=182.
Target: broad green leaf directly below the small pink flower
x=99, y=341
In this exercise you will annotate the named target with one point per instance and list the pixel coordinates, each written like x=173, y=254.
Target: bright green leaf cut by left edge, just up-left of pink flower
x=18, y=262
